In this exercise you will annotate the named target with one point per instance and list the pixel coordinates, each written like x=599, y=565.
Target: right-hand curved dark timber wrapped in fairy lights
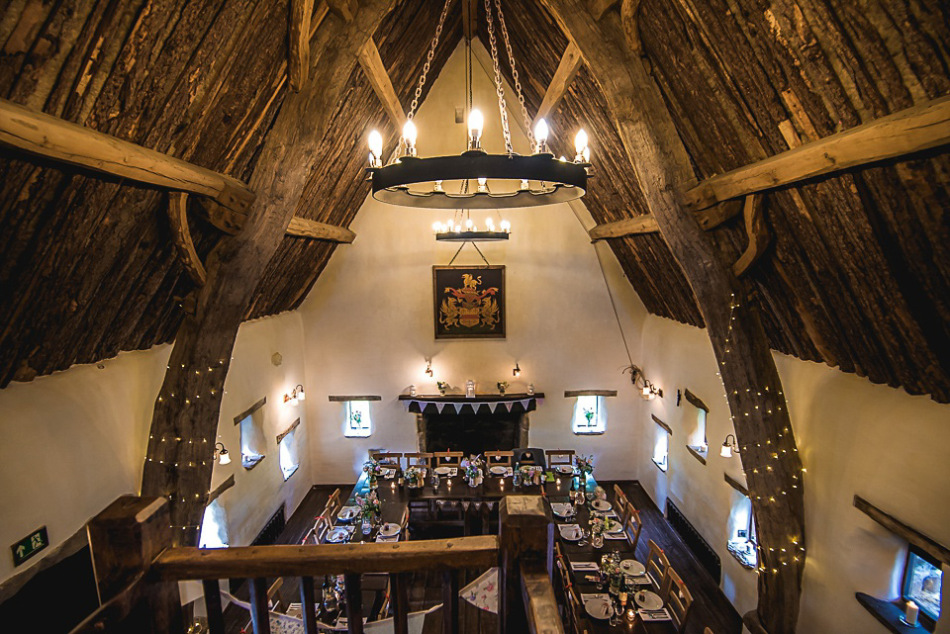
x=751, y=381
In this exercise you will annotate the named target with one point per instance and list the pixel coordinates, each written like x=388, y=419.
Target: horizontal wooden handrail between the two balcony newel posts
x=283, y=561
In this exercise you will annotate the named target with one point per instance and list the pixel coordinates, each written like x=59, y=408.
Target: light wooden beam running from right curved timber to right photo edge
x=912, y=130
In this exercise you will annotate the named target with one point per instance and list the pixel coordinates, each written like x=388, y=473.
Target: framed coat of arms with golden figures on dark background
x=469, y=301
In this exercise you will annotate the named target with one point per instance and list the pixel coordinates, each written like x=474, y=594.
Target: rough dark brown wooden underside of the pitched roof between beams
x=857, y=275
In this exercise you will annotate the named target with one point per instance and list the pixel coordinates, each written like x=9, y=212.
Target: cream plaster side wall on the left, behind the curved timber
x=75, y=440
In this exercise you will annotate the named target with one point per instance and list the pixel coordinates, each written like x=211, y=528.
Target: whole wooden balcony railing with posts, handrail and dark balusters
x=137, y=571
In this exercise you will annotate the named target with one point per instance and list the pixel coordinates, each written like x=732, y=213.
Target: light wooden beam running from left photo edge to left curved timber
x=66, y=142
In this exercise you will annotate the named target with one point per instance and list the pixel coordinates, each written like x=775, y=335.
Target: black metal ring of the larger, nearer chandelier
x=559, y=181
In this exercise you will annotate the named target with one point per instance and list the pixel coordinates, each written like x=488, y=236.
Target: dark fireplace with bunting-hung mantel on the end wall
x=472, y=426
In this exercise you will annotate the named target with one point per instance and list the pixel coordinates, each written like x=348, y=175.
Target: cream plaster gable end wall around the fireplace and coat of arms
x=369, y=319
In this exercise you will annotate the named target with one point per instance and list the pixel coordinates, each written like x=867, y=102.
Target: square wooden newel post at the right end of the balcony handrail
x=525, y=534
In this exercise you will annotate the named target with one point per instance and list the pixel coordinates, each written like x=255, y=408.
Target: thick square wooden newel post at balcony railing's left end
x=124, y=539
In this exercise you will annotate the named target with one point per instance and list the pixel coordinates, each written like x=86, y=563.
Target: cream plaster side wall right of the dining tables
x=854, y=438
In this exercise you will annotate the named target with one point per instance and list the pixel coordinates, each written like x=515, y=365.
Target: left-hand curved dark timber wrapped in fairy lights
x=179, y=459
